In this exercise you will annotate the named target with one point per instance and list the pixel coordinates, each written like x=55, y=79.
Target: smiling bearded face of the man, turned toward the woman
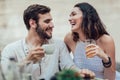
x=45, y=26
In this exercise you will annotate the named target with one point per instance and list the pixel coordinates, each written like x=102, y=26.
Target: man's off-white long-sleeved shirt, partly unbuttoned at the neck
x=49, y=65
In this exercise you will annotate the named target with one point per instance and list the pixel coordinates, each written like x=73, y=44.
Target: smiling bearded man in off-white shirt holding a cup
x=38, y=21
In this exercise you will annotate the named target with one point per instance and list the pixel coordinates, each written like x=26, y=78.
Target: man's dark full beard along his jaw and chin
x=42, y=33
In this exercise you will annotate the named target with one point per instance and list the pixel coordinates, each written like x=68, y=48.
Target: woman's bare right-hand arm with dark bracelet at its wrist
x=108, y=46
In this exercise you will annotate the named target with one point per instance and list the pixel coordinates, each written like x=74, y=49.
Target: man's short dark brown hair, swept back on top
x=32, y=13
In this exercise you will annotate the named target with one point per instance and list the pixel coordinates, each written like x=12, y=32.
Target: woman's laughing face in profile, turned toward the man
x=76, y=17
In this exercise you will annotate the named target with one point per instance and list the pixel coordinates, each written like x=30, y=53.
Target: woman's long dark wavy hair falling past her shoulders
x=91, y=25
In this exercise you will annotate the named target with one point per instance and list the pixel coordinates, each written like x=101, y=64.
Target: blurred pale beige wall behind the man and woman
x=12, y=27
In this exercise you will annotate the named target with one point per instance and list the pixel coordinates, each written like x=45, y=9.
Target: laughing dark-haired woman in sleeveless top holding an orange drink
x=86, y=25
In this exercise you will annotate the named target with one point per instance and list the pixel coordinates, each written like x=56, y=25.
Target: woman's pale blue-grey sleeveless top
x=94, y=64
